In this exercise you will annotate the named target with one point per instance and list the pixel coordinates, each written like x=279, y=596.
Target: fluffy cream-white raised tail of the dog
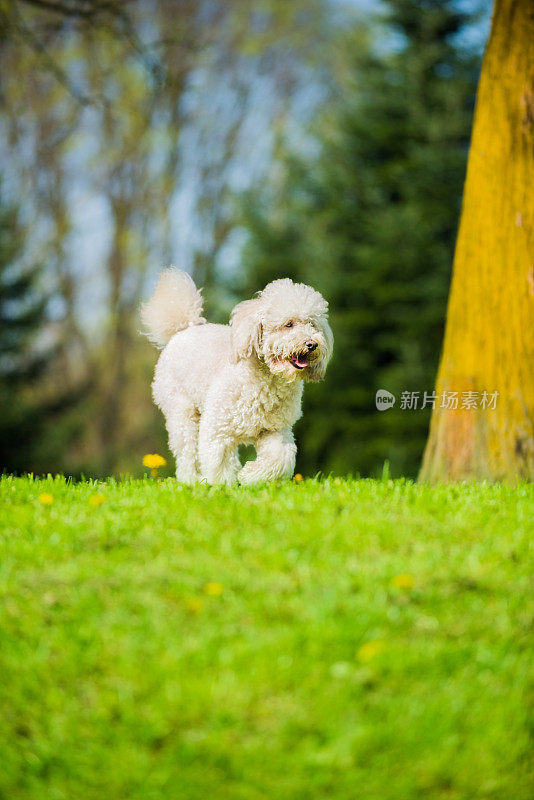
x=176, y=304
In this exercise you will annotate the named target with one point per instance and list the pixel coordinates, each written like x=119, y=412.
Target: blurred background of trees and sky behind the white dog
x=318, y=139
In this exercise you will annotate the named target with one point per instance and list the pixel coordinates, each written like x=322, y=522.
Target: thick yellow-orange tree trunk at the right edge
x=489, y=336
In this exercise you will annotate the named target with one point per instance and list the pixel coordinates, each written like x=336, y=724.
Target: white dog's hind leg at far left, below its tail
x=182, y=426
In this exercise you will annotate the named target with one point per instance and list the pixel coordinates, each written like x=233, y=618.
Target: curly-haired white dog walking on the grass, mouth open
x=224, y=385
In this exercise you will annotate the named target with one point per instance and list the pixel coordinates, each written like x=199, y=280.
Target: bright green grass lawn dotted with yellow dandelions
x=122, y=678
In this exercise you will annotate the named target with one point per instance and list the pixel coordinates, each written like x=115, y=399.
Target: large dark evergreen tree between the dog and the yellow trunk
x=371, y=223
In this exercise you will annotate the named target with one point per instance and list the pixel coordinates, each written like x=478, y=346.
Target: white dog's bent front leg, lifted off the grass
x=276, y=453
